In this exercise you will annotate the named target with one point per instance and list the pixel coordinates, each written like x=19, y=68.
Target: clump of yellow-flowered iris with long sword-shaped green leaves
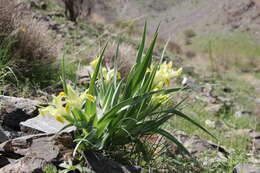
x=115, y=112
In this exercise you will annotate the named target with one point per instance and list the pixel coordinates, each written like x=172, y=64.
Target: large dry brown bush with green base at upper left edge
x=27, y=49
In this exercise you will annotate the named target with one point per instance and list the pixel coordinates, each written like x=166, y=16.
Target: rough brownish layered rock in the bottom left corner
x=34, y=151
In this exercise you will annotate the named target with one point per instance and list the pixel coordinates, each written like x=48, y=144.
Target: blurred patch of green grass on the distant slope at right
x=236, y=51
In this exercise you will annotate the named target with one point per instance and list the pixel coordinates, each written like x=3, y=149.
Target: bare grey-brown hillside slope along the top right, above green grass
x=176, y=16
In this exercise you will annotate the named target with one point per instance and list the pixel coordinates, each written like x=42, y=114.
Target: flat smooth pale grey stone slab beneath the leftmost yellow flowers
x=44, y=124
